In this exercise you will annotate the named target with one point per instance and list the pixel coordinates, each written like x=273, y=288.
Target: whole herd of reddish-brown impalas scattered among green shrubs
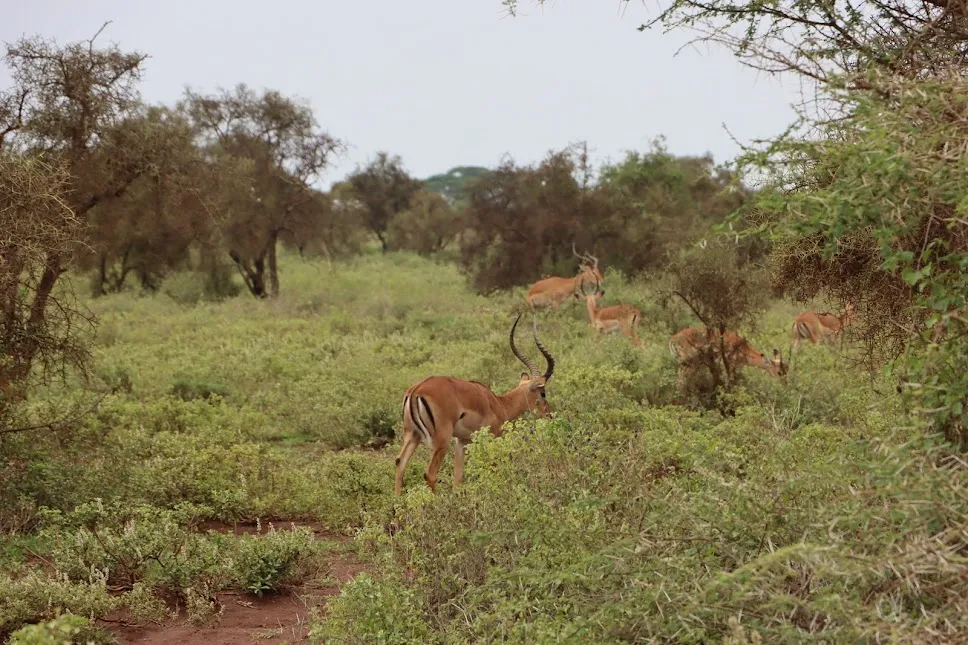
x=440, y=410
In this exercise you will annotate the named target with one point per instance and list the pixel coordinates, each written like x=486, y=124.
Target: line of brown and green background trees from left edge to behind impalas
x=218, y=181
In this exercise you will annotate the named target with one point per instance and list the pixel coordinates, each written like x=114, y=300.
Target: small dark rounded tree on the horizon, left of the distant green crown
x=383, y=189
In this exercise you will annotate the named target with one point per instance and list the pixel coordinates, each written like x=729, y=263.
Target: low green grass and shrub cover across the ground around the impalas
x=816, y=512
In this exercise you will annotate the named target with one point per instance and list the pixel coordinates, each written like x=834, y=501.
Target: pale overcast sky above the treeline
x=441, y=82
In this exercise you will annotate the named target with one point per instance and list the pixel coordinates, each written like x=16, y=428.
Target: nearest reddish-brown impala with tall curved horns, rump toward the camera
x=440, y=408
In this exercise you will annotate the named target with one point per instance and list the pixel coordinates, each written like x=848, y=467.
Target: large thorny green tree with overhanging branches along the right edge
x=869, y=206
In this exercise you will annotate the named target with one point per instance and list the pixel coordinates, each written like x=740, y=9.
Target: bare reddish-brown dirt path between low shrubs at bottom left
x=275, y=618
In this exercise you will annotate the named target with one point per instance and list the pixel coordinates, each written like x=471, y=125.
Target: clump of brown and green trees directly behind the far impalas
x=521, y=222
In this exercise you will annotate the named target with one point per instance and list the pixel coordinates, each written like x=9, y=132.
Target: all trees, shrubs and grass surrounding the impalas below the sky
x=196, y=338
